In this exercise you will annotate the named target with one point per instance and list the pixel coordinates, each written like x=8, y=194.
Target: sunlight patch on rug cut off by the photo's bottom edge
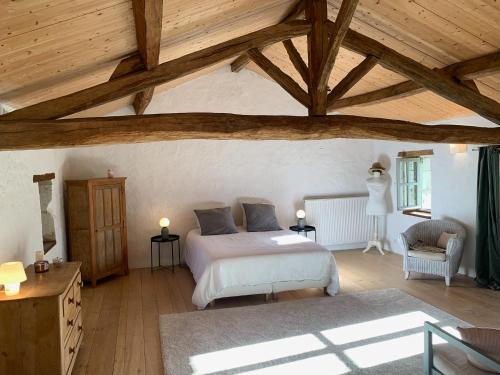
x=327, y=364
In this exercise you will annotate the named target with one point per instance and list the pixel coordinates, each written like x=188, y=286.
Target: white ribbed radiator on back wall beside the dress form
x=341, y=223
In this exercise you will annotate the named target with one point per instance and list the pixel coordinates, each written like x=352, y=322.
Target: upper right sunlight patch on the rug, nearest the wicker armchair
x=379, y=327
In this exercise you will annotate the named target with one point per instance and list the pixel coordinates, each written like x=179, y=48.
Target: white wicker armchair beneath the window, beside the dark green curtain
x=427, y=232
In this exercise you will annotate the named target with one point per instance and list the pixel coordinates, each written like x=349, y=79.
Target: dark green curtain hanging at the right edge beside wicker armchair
x=487, y=220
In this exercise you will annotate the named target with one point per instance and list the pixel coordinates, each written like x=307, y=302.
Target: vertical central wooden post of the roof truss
x=317, y=44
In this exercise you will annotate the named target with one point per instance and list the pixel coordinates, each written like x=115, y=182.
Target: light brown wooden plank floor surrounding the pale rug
x=121, y=314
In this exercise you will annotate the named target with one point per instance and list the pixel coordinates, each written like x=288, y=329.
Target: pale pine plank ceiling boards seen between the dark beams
x=50, y=48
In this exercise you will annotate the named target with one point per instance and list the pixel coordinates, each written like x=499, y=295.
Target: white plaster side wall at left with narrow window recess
x=20, y=216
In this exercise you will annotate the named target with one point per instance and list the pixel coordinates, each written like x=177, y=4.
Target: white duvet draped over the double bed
x=255, y=258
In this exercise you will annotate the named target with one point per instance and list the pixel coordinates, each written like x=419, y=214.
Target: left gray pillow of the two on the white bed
x=216, y=221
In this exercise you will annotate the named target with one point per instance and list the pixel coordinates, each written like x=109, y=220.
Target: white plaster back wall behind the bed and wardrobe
x=170, y=178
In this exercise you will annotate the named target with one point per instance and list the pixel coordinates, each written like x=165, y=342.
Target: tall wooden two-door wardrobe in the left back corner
x=96, y=226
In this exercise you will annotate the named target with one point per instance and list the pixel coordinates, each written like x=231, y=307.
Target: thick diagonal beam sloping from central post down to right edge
x=432, y=80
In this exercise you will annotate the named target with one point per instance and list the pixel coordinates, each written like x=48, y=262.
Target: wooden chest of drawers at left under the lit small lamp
x=41, y=328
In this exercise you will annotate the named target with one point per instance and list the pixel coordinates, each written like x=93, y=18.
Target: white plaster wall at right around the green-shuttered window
x=454, y=178
